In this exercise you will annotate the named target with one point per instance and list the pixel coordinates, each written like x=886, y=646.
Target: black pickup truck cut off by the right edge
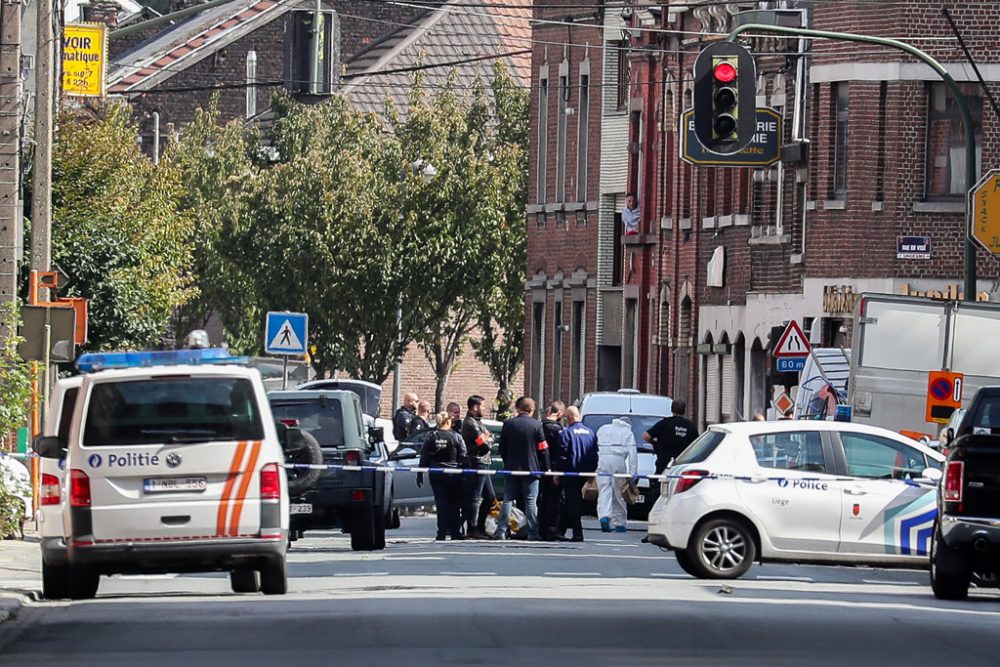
x=966, y=543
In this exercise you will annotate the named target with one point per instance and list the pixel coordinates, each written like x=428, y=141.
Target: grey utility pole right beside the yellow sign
x=41, y=184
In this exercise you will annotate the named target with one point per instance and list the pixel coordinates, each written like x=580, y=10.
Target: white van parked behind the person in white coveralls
x=643, y=410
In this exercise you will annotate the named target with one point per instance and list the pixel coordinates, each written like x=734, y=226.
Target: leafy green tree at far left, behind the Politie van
x=117, y=230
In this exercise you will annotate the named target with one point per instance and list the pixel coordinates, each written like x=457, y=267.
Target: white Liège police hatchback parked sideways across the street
x=797, y=491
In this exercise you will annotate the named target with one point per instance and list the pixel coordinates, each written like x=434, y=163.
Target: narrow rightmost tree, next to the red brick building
x=500, y=307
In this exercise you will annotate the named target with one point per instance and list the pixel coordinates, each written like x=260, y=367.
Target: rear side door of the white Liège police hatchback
x=793, y=493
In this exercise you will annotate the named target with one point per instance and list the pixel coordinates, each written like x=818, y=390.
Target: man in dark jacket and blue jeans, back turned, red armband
x=523, y=448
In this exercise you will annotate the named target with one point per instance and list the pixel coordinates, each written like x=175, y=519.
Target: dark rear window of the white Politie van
x=180, y=409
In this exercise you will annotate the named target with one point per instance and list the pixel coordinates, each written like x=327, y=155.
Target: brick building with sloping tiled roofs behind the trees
x=171, y=70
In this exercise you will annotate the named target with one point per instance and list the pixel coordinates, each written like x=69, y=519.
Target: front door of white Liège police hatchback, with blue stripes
x=884, y=510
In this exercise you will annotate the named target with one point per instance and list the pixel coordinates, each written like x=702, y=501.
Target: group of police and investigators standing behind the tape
x=560, y=441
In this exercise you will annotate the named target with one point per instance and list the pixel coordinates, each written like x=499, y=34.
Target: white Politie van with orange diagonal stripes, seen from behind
x=173, y=468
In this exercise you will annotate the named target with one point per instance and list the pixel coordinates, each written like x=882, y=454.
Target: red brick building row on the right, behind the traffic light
x=872, y=153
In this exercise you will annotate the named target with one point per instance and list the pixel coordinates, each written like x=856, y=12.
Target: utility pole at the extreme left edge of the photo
x=10, y=148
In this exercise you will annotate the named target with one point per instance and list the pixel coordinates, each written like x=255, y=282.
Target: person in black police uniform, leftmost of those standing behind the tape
x=444, y=448
